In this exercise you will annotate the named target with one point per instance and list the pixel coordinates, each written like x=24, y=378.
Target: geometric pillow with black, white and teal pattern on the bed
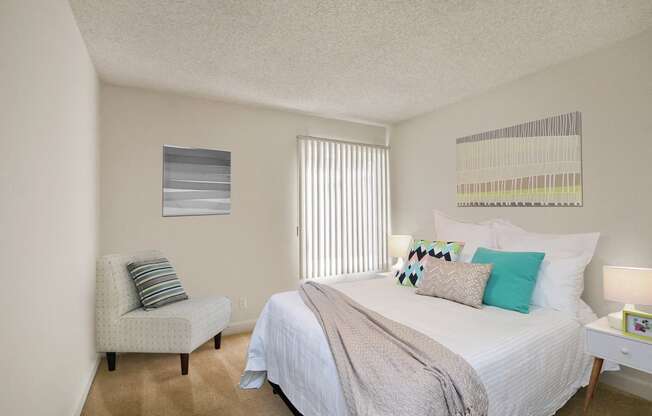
x=413, y=269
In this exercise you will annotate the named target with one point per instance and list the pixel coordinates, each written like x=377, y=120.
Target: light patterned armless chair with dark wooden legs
x=124, y=326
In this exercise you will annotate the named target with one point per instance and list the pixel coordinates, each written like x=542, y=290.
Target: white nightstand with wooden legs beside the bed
x=605, y=343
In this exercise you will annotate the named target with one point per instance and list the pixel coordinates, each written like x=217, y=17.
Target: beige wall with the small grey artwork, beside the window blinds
x=253, y=252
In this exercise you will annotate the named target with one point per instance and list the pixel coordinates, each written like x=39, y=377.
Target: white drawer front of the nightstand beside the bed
x=628, y=352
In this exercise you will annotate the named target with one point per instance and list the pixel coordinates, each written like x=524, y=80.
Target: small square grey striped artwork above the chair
x=196, y=181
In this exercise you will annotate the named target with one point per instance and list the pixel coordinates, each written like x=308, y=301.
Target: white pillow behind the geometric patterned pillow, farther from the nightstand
x=474, y=235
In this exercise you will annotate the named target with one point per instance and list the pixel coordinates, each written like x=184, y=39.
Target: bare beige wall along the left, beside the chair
x=48, y=230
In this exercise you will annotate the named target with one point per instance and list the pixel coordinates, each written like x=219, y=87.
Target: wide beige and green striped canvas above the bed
x=538, y=163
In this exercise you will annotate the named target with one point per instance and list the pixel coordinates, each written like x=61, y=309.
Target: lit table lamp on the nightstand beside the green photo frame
x=629, y=285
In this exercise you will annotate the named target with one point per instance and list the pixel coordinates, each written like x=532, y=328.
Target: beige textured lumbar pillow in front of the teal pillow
x=460, y=282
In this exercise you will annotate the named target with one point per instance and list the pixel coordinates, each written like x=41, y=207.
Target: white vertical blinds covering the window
x=344, y=207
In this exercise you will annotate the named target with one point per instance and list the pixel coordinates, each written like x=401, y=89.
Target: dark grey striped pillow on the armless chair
x=156, y=282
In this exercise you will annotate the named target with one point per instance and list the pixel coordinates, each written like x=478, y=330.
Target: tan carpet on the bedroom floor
x=151, y=384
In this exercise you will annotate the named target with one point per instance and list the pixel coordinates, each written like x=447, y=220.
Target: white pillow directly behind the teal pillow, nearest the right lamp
x=560, y=283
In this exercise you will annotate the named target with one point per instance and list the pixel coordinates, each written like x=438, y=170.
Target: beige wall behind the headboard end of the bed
x=613, y=90
